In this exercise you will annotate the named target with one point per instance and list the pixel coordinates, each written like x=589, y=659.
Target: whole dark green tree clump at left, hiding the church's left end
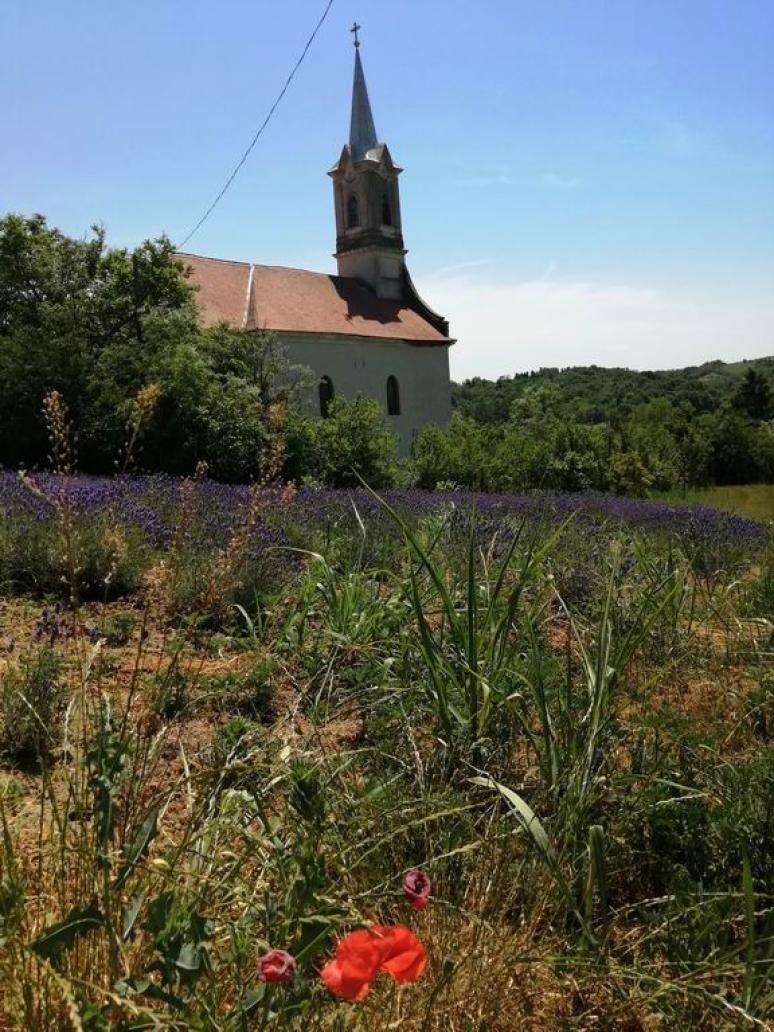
x=106, y=327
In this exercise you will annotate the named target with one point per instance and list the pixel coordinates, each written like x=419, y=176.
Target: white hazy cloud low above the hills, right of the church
x=505, y=328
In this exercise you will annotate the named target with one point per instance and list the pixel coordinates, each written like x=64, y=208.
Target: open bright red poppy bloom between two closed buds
x=363, y=954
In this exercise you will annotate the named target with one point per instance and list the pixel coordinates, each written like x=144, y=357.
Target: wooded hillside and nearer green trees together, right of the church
x=585, y=429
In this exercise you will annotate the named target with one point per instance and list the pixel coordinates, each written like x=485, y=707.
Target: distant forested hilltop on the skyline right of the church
x=594, y=395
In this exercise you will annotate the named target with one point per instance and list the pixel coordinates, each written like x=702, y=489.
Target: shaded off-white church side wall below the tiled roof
x=362, y=366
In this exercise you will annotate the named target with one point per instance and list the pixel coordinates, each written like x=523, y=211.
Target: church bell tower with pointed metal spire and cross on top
x=370, y=243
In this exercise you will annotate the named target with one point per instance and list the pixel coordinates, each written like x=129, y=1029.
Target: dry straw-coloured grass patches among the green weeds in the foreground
x=496, y=965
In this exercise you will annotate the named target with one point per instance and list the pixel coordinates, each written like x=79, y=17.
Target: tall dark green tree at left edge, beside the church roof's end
x=84, y=320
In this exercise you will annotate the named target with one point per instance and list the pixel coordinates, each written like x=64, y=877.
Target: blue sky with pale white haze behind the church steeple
x=587, y=181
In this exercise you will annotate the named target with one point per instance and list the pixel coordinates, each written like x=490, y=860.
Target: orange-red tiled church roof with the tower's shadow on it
x=278, y=299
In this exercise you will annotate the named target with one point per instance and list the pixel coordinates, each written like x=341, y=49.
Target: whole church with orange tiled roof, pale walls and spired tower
x=365, y=332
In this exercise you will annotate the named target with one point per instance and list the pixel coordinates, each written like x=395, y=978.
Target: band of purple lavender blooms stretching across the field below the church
x=153, y=504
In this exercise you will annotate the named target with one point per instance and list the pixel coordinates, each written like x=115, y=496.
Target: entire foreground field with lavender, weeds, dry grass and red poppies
x=305, y=759
